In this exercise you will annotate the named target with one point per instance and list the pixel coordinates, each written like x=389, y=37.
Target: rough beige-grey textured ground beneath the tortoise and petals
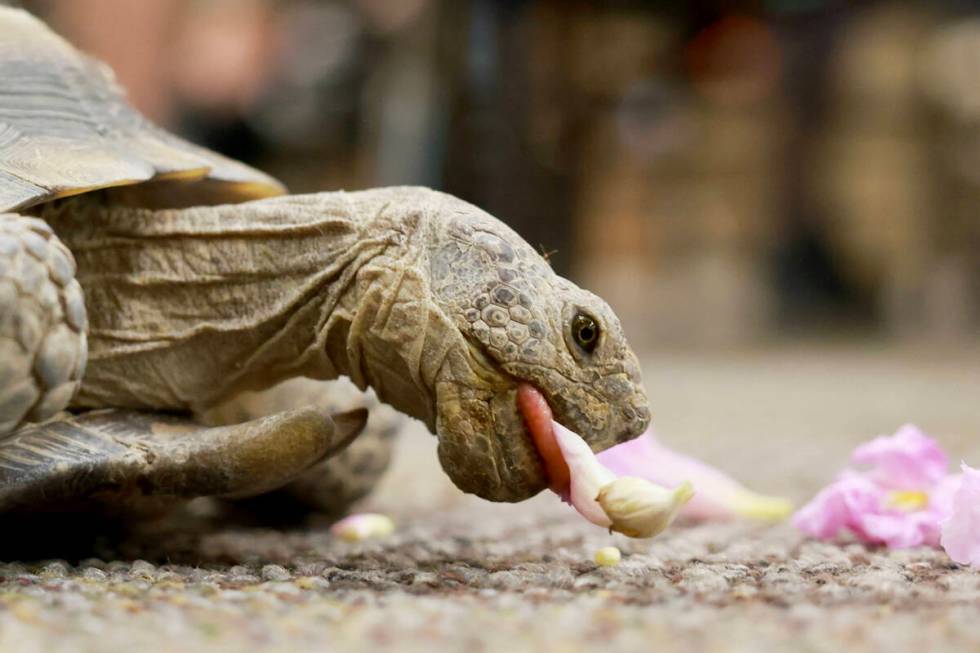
x=464, y=574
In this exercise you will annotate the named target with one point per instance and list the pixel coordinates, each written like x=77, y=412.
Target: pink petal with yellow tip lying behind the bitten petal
x=718, y=496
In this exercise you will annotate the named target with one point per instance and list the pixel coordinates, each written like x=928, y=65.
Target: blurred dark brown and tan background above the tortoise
x=722, y=172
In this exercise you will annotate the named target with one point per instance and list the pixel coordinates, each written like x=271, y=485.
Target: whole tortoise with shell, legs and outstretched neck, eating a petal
x=145, y=281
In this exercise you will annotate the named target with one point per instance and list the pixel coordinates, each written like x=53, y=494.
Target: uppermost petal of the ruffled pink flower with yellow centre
x=906, y=460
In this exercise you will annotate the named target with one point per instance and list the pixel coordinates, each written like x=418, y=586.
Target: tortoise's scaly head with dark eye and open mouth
x=520, y=323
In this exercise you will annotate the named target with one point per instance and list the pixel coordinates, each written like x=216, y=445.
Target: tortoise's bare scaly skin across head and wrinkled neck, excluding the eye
x=435, y=304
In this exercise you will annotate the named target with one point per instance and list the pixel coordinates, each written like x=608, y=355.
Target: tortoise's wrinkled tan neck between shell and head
x=190, y=306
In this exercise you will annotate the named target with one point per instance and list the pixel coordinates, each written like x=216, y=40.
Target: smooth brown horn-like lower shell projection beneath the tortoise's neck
x=127, y=461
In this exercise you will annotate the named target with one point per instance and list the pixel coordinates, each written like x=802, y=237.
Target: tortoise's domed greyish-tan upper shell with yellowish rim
x=66, y=129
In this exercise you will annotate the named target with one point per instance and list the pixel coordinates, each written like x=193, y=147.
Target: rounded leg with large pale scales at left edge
x=42, y=323
